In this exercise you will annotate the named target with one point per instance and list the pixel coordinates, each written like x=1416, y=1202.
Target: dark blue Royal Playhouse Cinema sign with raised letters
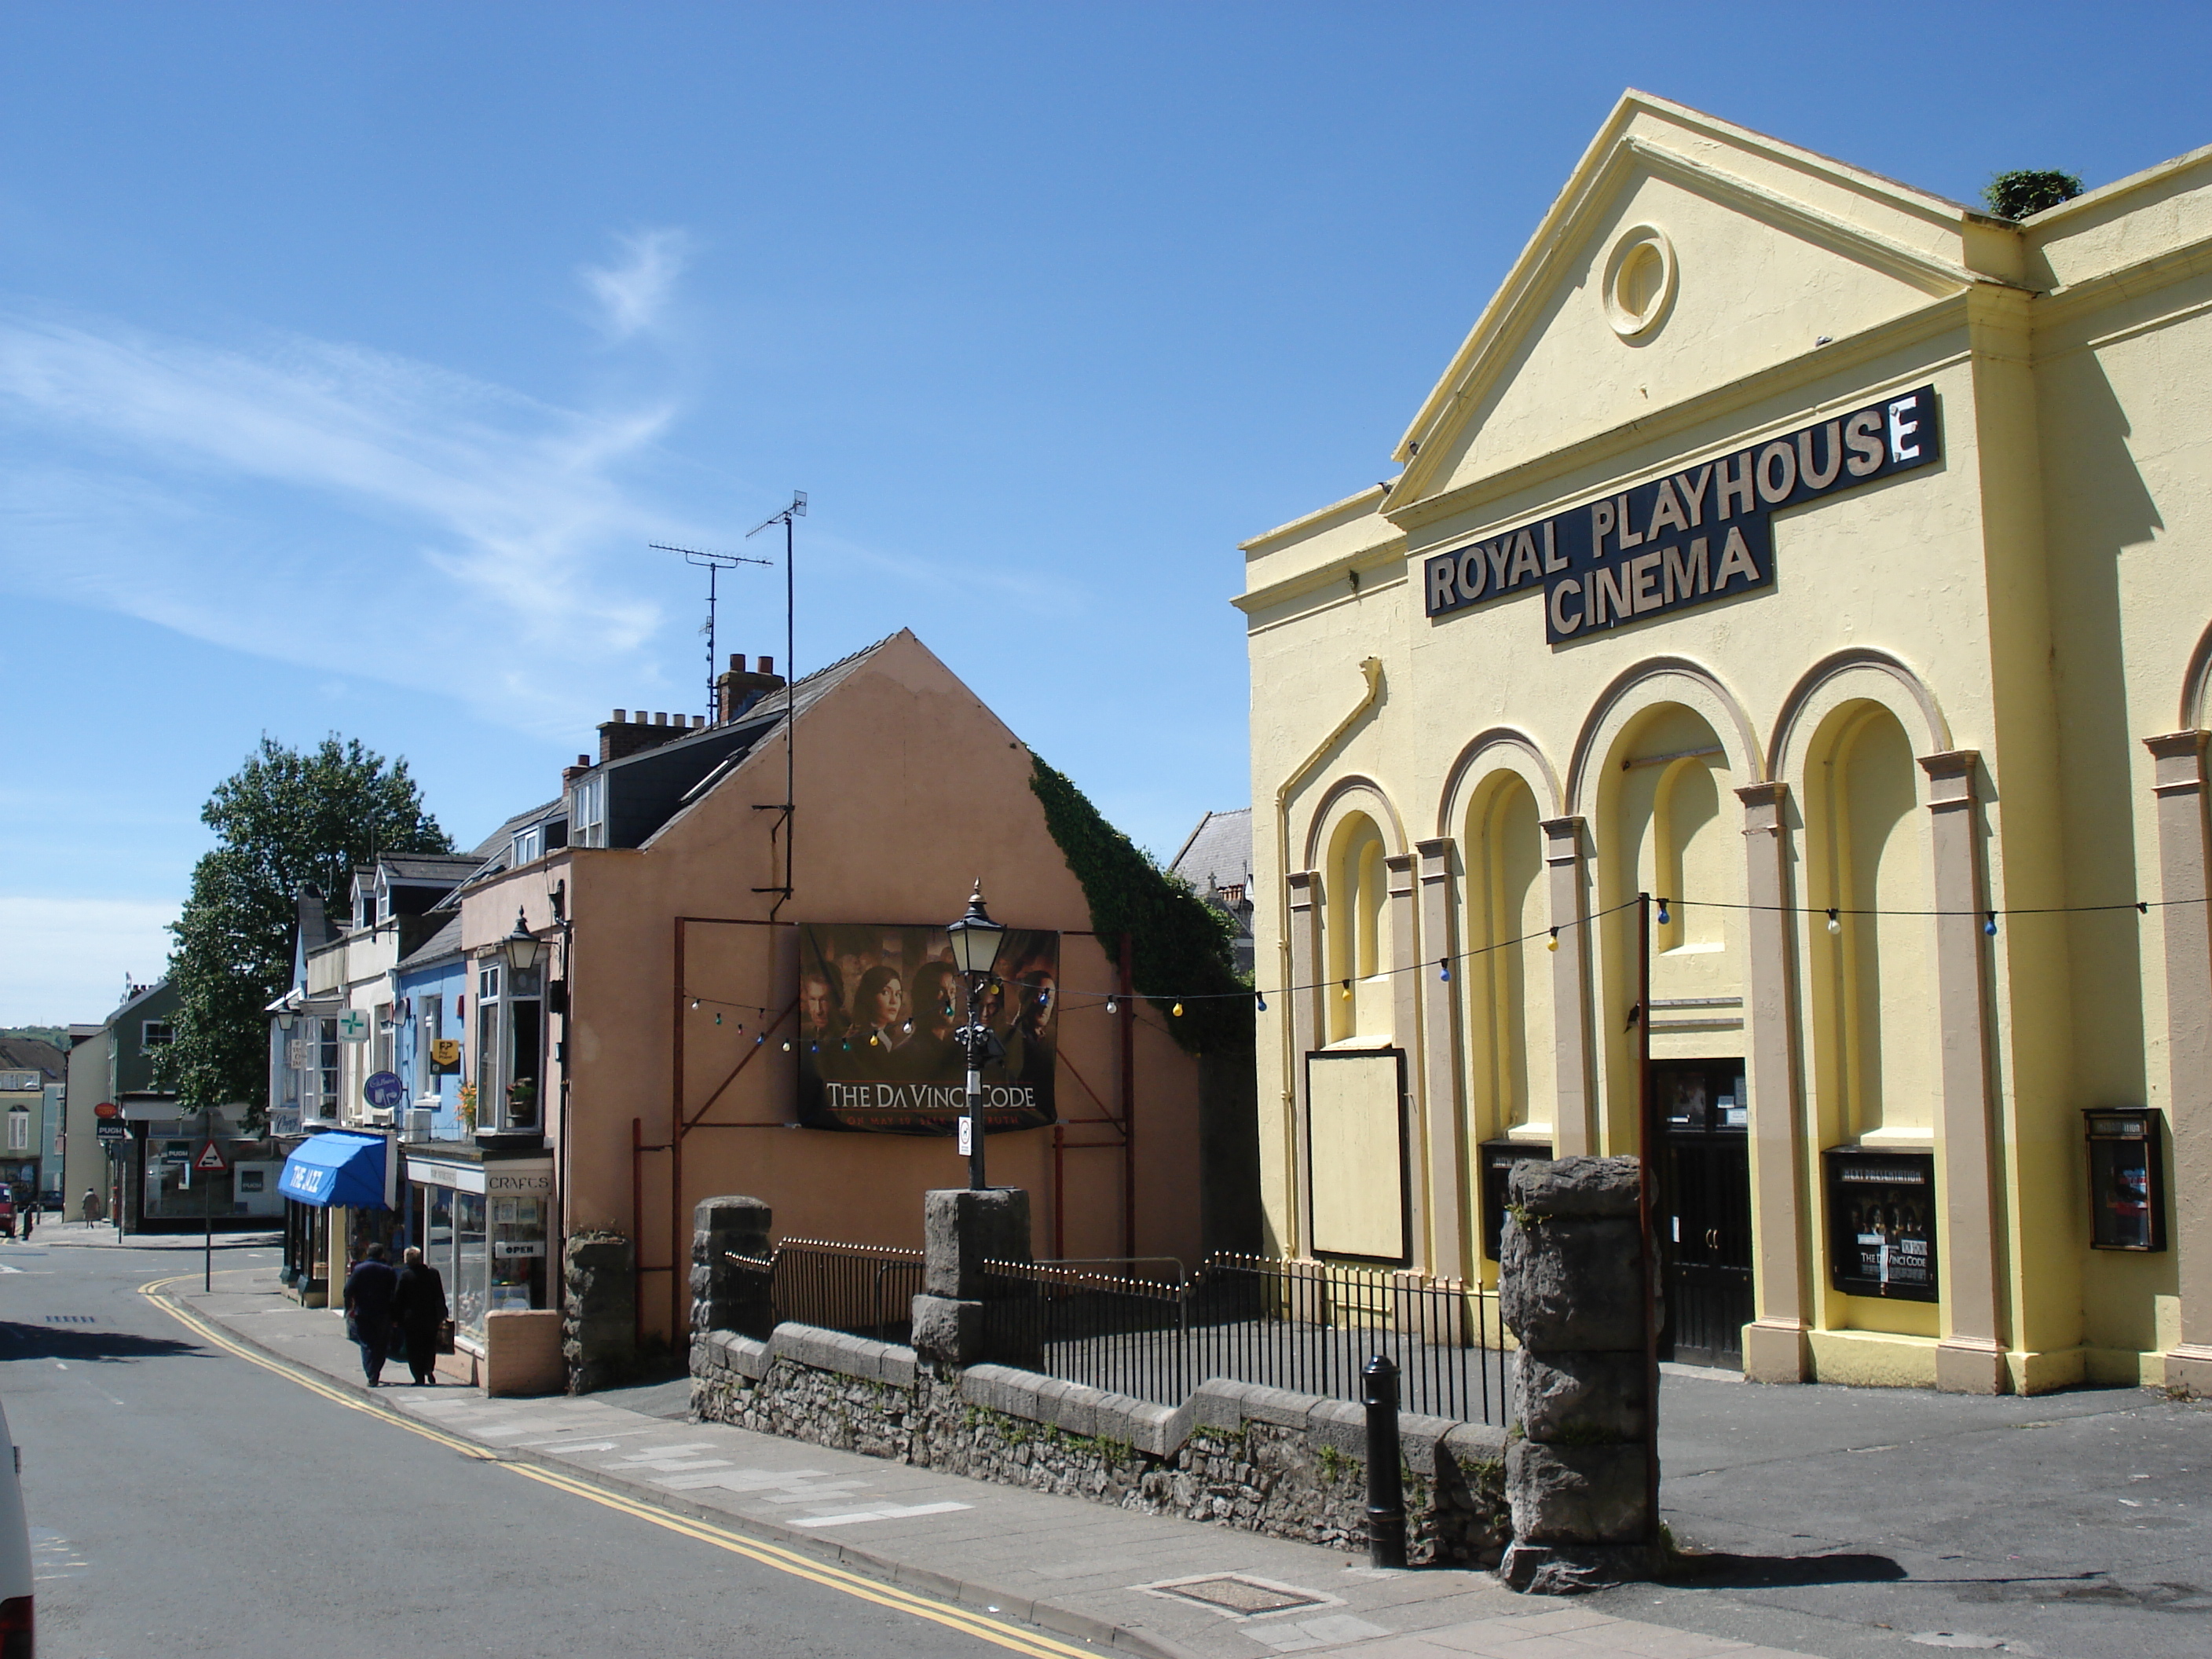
x=1687, y=539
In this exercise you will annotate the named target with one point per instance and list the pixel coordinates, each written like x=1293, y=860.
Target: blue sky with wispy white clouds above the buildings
x=351, y=357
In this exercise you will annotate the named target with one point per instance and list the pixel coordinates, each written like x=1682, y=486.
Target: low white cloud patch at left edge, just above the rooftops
x=65, y=959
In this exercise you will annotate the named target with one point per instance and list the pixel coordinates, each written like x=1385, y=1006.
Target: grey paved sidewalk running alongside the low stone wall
x=1105, y=1576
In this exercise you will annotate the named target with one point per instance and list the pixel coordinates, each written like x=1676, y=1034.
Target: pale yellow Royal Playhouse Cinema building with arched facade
x=1835, y=565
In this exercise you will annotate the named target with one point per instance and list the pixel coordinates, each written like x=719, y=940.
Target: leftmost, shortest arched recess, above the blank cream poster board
x=1355, y=831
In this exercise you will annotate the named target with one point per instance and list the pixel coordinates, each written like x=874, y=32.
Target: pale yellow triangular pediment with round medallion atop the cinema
x=1755, y=253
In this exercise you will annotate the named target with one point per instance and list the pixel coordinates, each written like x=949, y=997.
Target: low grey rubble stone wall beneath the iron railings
x=1235, y=1454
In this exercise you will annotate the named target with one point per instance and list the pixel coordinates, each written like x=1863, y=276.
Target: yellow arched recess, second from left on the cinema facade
x=1507, y=972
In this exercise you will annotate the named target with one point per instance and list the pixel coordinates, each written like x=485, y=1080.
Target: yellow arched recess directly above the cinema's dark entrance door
x=1662, y=769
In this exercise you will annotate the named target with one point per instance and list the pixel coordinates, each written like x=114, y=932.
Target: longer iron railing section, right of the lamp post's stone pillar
x=1302, y=1326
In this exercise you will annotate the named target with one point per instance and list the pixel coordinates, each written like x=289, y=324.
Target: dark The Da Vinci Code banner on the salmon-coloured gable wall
x=877, y=1019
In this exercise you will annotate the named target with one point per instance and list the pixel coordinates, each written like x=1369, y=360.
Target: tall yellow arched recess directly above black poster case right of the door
x=1870, y=983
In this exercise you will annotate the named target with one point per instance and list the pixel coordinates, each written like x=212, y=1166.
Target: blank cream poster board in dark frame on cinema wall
x=1355, y=1154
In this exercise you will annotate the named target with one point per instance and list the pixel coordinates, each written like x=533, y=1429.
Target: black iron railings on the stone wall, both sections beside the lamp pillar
x=1149, y=1331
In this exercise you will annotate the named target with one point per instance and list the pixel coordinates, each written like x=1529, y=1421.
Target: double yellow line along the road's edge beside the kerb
x=784, y=1561
